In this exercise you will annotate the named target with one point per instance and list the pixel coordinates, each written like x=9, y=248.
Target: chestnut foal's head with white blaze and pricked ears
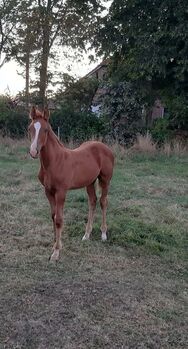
x=38, y=130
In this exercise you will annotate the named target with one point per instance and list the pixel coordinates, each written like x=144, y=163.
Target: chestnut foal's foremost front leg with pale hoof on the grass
x=58, y=222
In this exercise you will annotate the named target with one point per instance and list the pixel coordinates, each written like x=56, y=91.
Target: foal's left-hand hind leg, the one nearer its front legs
x=92, y=199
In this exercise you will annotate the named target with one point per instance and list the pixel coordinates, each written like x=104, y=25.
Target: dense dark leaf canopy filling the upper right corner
x=152, y=41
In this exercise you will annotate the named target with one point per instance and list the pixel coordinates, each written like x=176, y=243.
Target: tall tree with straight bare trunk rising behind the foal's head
x=61, y=24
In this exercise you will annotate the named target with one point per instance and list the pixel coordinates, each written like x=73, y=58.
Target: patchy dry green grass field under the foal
x=129, y=292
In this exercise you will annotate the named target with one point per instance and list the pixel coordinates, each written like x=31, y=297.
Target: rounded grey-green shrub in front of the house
x=122, y=112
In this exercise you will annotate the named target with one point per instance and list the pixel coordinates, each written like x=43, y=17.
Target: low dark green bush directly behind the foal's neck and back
x=77, y=126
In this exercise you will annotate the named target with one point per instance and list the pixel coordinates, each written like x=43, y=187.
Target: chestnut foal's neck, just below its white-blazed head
x=50, y=152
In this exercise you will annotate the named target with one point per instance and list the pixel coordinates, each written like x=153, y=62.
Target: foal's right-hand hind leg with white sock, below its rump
x=103, y=203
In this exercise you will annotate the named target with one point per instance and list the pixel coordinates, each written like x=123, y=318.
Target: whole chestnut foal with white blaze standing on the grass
x=63, y=169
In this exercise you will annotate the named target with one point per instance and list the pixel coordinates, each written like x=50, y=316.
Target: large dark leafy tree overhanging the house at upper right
x=148, y=40
